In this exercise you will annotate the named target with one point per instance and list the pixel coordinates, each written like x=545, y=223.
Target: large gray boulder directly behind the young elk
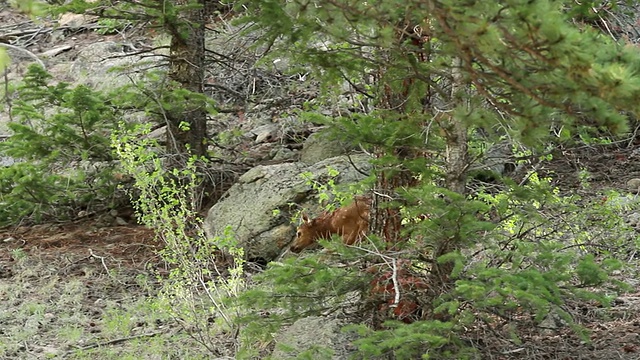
x=258, y=206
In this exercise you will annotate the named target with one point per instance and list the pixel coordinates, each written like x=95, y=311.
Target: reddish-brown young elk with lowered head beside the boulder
x=351, y=222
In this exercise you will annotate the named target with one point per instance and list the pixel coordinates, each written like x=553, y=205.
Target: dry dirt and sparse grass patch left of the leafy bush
x=60, y=283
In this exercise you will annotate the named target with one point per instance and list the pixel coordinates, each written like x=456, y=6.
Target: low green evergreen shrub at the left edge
x=60, y=147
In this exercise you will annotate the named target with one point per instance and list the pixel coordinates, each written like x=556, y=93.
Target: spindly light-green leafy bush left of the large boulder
x=199, y=283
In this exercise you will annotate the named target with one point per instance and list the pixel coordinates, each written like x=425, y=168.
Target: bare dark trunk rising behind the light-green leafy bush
x=188, y=126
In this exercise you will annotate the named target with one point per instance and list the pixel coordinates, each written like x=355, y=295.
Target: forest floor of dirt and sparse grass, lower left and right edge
x=79, y=291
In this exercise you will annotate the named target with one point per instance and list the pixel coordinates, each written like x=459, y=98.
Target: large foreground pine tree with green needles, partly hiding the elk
x=429, y=76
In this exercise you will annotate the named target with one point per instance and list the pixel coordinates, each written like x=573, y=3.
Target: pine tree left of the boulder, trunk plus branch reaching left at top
x=184, y=106
